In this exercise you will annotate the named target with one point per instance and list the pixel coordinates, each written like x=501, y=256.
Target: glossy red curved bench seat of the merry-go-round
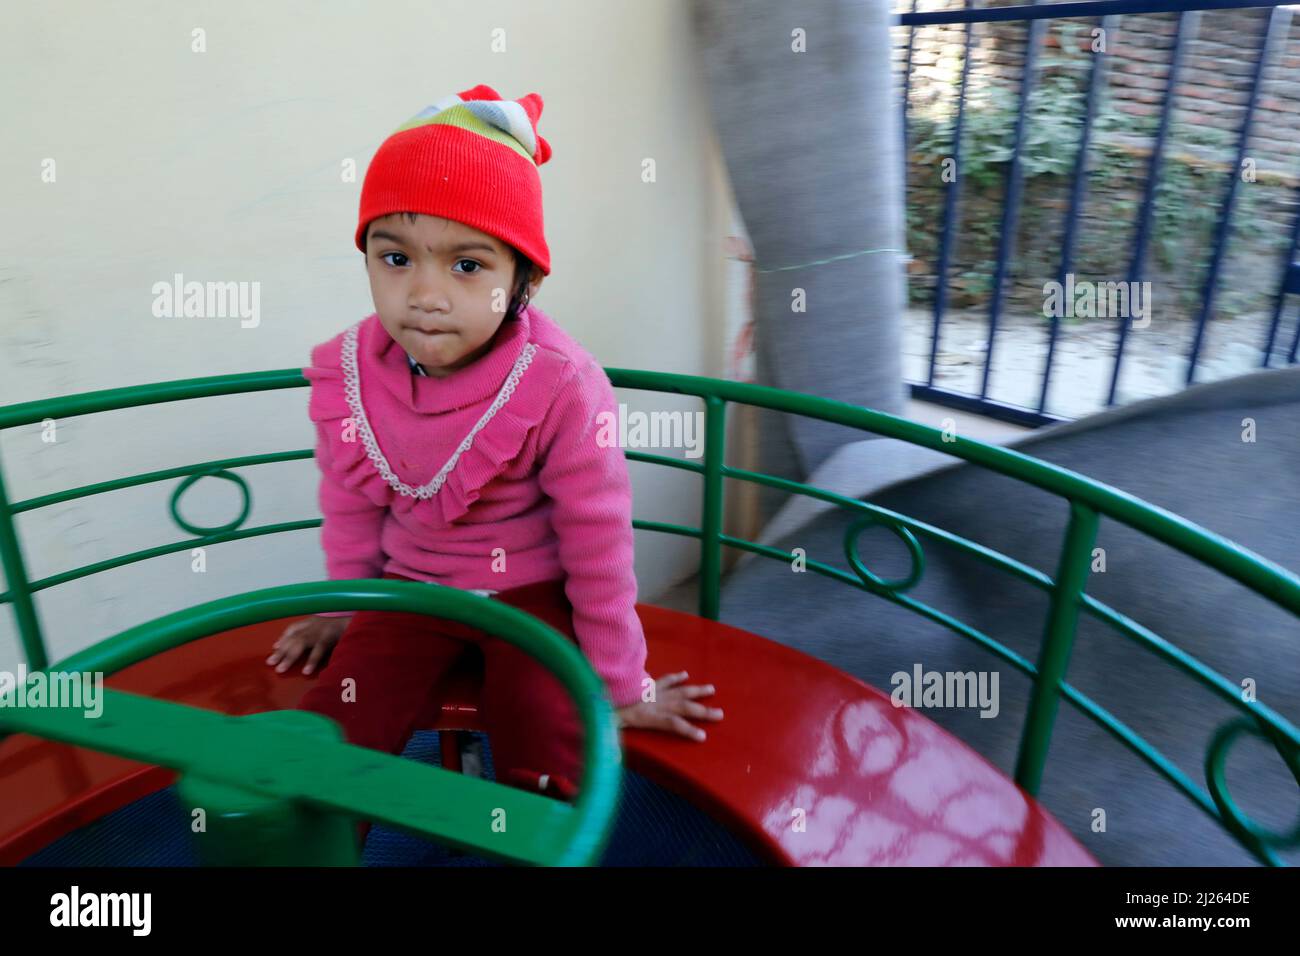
x=809, y=767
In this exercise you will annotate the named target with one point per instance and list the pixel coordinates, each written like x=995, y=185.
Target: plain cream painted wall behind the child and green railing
x=228, y=166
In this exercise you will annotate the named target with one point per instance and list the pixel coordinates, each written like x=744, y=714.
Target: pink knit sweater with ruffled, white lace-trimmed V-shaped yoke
x=526, y=492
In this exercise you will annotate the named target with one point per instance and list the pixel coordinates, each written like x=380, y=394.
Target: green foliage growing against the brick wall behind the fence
x=1189, y=198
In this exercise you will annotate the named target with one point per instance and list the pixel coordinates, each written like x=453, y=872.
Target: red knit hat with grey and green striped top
x=473, y=158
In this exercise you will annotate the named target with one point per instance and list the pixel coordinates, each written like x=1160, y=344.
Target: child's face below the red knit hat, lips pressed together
x=441, y=288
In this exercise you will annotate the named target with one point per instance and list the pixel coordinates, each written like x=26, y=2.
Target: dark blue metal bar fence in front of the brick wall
x=1275, y=351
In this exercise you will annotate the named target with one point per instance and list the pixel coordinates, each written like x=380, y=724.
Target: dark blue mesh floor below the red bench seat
x=653, y=828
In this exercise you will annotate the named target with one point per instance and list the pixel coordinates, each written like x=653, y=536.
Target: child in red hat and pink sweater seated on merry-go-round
x=457, y=438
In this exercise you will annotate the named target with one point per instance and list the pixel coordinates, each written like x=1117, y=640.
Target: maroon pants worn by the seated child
x=397, y=661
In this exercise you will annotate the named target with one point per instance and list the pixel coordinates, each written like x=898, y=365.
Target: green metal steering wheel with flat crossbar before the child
x=298, y=772
